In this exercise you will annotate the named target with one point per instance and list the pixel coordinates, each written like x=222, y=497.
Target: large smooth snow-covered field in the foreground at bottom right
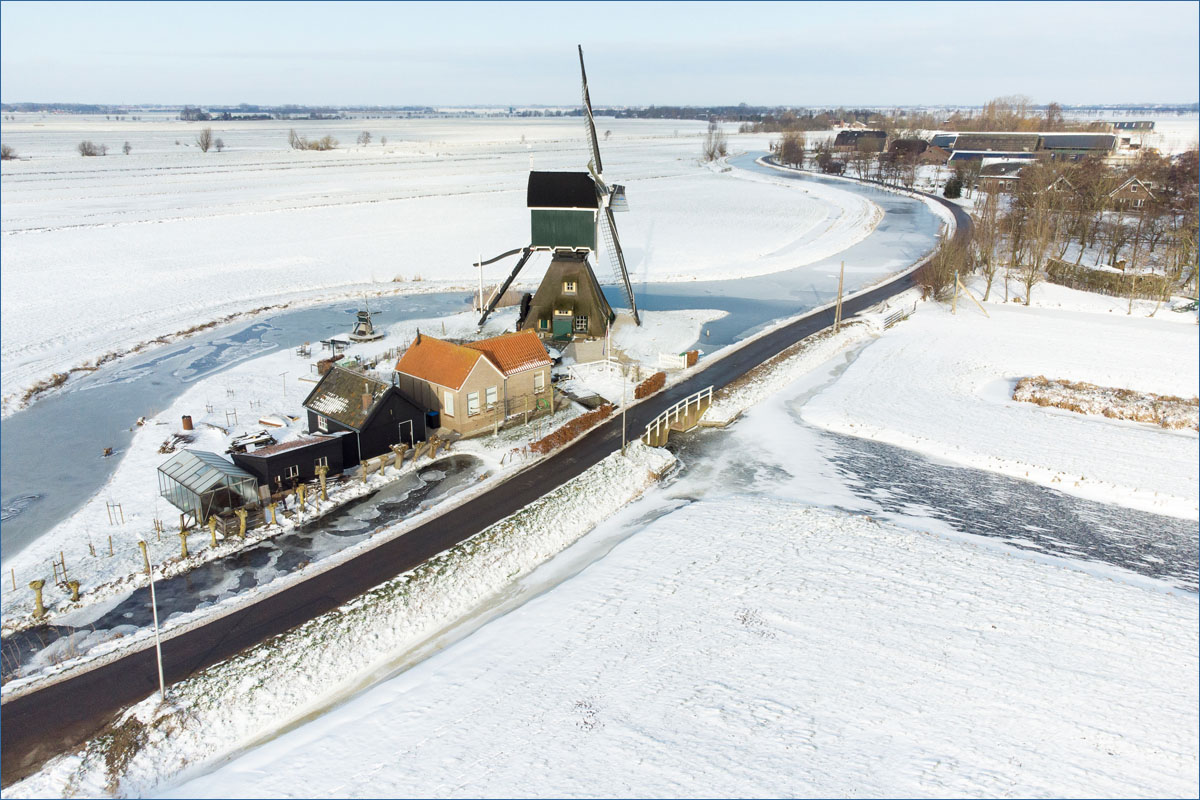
x=751, y=647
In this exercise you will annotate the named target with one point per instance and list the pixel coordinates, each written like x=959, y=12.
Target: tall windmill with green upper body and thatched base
x=569, y=214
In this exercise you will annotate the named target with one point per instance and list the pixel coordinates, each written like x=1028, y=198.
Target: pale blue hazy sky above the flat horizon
x=664, y=53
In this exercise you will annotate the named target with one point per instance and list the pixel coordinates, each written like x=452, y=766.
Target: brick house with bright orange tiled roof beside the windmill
x=476, y=387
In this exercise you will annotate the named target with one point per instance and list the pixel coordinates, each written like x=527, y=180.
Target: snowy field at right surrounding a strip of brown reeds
x=943, y=384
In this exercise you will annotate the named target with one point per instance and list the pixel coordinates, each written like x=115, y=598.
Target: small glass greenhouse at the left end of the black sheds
x=203, y=484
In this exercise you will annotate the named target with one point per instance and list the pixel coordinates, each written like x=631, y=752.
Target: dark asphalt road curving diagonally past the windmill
x=44, y=724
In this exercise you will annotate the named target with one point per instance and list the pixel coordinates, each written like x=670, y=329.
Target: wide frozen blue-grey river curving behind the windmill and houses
x=51, y=453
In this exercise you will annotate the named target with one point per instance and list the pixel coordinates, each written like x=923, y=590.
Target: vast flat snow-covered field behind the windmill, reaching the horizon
x=140, y=246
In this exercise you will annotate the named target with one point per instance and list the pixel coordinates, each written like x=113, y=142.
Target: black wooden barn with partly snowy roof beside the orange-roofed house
x=373, y=414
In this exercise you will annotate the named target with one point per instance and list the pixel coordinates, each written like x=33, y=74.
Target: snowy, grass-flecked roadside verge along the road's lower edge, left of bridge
x=287, y=678
